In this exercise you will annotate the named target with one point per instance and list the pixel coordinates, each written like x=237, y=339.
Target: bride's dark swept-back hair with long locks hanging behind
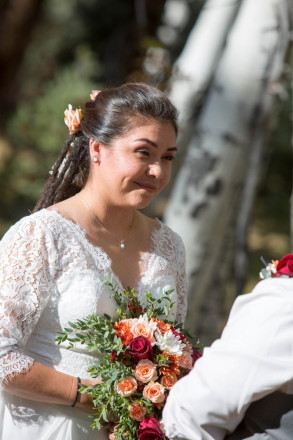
x=112, y=113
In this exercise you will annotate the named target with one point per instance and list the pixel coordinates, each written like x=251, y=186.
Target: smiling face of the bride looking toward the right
x=137, y=166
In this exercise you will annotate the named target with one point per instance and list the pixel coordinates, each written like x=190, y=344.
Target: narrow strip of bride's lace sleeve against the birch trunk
x=181, y=284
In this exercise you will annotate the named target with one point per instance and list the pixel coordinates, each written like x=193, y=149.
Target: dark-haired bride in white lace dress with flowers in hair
x=86, y=225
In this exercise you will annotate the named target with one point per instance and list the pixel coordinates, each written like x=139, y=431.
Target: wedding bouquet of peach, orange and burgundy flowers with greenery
x=144, y=356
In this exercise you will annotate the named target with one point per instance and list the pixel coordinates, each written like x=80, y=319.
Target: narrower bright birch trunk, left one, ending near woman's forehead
x=196, y=65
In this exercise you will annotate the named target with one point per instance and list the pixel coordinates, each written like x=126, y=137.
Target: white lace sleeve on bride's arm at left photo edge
x=25, y=277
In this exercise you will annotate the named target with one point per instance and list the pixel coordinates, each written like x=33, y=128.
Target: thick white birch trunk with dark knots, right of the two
x=208, y=189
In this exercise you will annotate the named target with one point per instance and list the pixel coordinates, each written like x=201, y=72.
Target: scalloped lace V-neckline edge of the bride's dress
x=95, y=249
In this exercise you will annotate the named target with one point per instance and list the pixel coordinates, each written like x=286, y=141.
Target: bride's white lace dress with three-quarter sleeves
x=51, y=274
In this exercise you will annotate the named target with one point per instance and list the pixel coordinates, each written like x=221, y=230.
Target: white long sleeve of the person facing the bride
x=253, y=358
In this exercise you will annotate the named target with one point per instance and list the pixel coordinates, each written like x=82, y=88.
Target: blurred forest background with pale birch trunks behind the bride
x=226, y=65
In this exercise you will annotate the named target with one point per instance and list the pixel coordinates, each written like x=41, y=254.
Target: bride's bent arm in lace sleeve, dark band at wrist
x=27, y=271
